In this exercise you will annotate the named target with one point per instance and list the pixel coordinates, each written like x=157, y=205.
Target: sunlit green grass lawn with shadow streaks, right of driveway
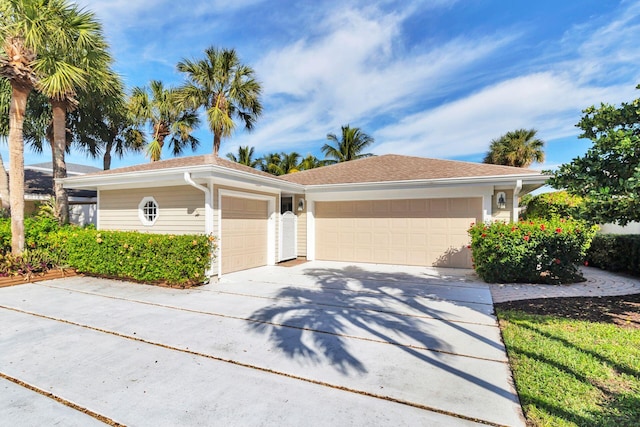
x=573, y=373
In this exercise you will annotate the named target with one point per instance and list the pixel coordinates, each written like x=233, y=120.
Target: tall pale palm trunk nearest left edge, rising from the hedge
x=17, y=112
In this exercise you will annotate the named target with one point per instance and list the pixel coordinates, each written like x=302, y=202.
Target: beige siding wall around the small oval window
x=181, y=210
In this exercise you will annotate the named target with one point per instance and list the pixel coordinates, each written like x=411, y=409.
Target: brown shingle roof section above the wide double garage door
x=392, y=167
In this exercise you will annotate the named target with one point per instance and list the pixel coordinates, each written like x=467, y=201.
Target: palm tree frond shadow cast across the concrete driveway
x=320, y=322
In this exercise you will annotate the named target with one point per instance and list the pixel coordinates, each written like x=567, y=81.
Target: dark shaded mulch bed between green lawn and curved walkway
x=623, y=311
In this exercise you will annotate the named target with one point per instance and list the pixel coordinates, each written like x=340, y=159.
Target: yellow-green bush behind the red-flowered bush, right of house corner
x=558, y=204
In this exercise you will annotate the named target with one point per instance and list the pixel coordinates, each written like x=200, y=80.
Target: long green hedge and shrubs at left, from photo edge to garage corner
x=173, y=259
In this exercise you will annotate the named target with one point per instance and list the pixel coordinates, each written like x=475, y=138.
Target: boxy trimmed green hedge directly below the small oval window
x=174, y=259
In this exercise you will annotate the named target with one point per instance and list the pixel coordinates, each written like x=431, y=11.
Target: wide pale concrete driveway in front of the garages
x=315, y=344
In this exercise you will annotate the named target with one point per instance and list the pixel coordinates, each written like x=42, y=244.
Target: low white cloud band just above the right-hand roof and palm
x=548, y=102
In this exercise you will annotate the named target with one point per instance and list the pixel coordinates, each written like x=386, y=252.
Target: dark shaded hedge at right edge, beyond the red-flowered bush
x=615, y=252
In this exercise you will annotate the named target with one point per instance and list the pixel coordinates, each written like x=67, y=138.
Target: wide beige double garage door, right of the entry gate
x=409, y=232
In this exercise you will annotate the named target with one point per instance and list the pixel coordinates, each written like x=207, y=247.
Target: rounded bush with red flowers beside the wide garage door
x=540, y=251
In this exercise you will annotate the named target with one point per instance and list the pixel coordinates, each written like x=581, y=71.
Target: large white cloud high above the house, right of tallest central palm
x=356, y=72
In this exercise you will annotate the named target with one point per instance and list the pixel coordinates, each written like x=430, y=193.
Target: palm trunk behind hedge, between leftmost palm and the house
x=59, y=109
